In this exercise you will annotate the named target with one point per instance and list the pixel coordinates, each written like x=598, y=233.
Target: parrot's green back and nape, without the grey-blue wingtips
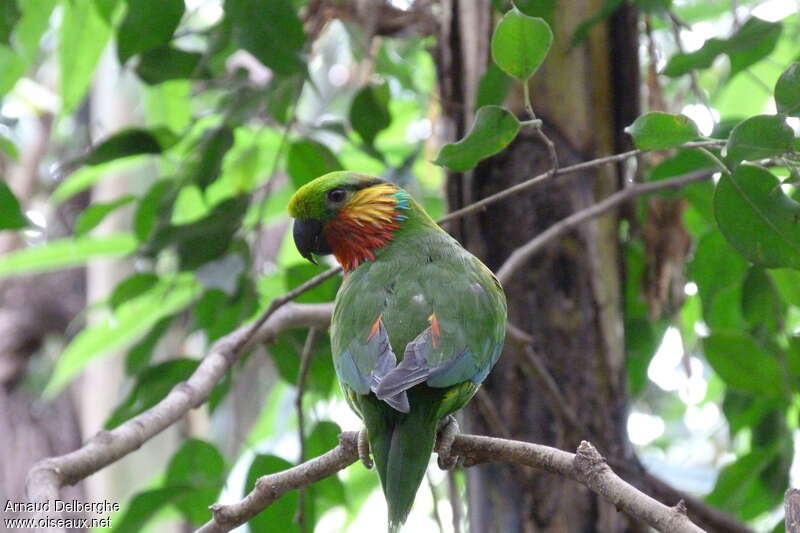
x=421, y=272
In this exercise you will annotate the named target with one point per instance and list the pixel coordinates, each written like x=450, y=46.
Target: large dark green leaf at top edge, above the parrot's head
x=271, y=31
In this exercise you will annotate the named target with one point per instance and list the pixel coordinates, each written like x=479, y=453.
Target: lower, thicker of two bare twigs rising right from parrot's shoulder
x=522, y=254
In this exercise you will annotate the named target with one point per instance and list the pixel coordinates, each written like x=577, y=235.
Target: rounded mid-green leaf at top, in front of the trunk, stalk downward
x=520, y=43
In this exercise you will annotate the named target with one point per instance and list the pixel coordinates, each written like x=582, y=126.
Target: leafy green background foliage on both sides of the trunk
x=239, y=107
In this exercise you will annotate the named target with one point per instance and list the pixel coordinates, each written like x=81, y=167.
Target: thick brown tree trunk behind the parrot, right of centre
x=568, y=298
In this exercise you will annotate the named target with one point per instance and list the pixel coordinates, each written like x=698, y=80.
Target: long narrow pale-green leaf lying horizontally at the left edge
x=64, y=253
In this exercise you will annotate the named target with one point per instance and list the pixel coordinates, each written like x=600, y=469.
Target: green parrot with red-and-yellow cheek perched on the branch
x=417, y=325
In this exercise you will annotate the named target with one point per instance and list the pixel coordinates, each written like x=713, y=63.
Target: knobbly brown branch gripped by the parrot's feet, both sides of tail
x=586, y=466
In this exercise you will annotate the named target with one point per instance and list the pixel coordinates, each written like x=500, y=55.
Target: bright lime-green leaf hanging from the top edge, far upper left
x=77, y=54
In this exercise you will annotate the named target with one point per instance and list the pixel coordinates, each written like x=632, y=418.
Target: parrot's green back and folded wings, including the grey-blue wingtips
x=440, y=322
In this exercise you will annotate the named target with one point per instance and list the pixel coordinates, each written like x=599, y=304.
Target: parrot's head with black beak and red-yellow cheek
x=347, y=214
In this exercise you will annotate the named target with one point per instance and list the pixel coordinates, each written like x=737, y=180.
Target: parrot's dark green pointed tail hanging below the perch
x=401, y=452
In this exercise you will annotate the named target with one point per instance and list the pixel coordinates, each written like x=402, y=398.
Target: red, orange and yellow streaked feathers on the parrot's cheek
x=367, y=222
